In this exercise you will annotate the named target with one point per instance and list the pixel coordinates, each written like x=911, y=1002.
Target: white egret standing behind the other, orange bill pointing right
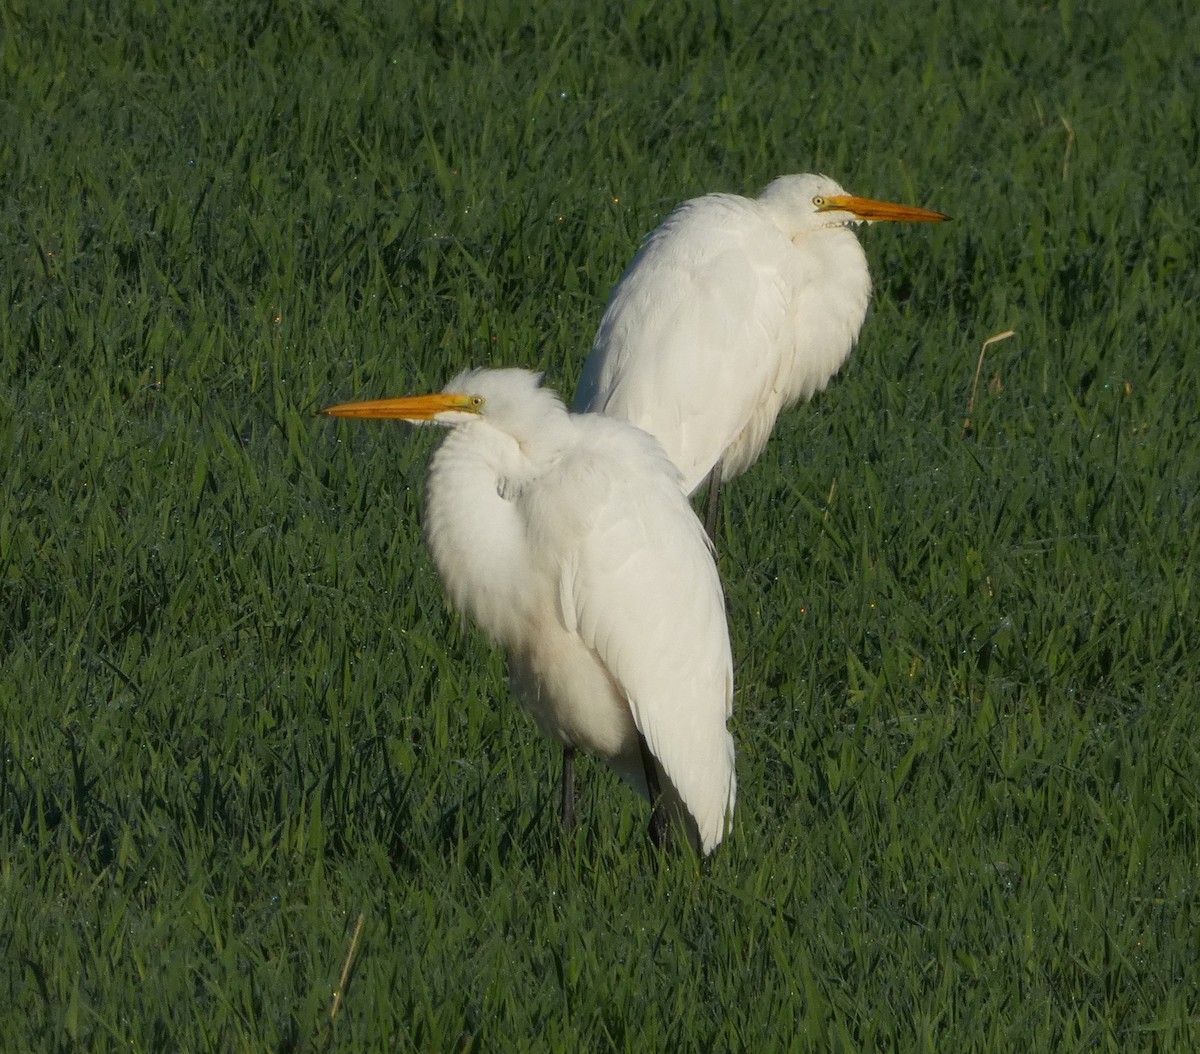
x=734, y=310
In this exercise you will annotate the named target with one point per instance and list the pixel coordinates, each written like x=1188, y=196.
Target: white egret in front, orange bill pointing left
x=569, y=541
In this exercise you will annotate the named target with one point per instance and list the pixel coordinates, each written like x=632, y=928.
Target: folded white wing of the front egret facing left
x=641, y=590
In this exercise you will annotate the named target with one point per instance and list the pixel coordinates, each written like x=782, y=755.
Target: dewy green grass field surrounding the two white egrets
x=237, y=716
